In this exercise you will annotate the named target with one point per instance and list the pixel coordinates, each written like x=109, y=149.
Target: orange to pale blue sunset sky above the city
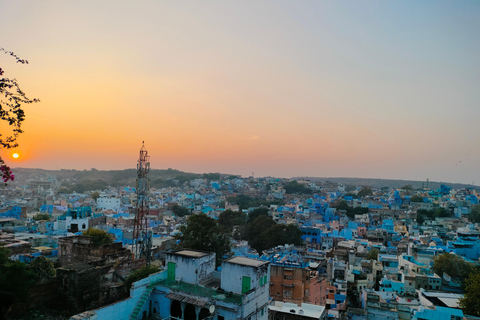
x=373, y=89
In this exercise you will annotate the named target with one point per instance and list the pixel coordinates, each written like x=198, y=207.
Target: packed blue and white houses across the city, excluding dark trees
x=366, y=255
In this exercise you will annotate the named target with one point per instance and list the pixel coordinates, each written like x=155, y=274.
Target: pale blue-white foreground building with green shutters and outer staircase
x=191, y=289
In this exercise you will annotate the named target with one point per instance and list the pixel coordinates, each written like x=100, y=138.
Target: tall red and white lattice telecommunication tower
x=142, y=237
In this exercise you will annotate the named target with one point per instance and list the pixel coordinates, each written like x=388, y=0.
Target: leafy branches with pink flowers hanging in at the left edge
x=11, y=113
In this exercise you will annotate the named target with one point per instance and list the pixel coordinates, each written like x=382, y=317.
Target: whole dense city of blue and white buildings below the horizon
x=230, y=247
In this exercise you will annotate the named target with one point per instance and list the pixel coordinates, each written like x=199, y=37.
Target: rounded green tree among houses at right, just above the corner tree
x=452, y=264
